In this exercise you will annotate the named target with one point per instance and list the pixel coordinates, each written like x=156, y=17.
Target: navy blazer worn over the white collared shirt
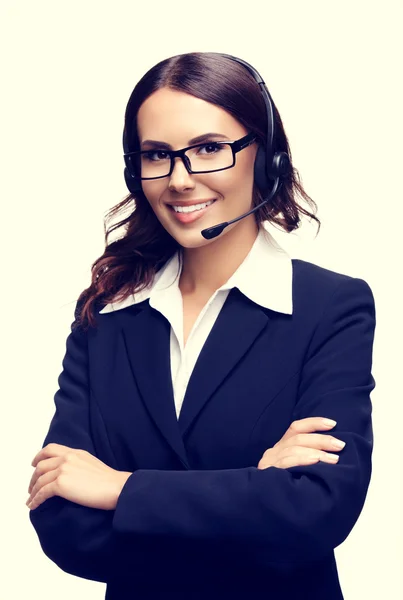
x=197, y=518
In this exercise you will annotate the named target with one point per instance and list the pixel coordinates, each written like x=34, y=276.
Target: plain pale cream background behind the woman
x=67, y=74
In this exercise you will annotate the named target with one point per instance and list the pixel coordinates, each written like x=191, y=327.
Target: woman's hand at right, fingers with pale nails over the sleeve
x=299, y=446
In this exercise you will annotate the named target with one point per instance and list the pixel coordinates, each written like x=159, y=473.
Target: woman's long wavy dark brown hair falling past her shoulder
x=129, y=264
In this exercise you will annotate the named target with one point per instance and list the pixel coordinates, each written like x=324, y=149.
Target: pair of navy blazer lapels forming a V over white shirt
x=147, y=337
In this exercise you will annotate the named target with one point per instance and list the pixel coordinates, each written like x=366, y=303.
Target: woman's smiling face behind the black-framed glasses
x=175, y=118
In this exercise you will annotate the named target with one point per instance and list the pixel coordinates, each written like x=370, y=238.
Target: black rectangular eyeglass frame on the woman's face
x=236, y=146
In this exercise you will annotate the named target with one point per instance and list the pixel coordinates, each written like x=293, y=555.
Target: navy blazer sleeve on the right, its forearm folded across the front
x=280, y=515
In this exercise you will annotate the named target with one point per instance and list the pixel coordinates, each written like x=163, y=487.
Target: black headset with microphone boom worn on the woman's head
x=269, y=165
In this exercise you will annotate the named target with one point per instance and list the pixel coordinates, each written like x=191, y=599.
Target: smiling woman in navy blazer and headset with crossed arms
x=190, y=454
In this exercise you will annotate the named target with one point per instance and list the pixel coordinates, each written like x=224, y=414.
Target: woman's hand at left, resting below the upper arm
x=75, y=475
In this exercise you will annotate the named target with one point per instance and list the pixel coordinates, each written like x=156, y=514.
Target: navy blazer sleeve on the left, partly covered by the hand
x=79, y=539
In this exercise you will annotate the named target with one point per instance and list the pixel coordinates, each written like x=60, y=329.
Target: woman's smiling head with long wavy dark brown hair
x=187, y=100
